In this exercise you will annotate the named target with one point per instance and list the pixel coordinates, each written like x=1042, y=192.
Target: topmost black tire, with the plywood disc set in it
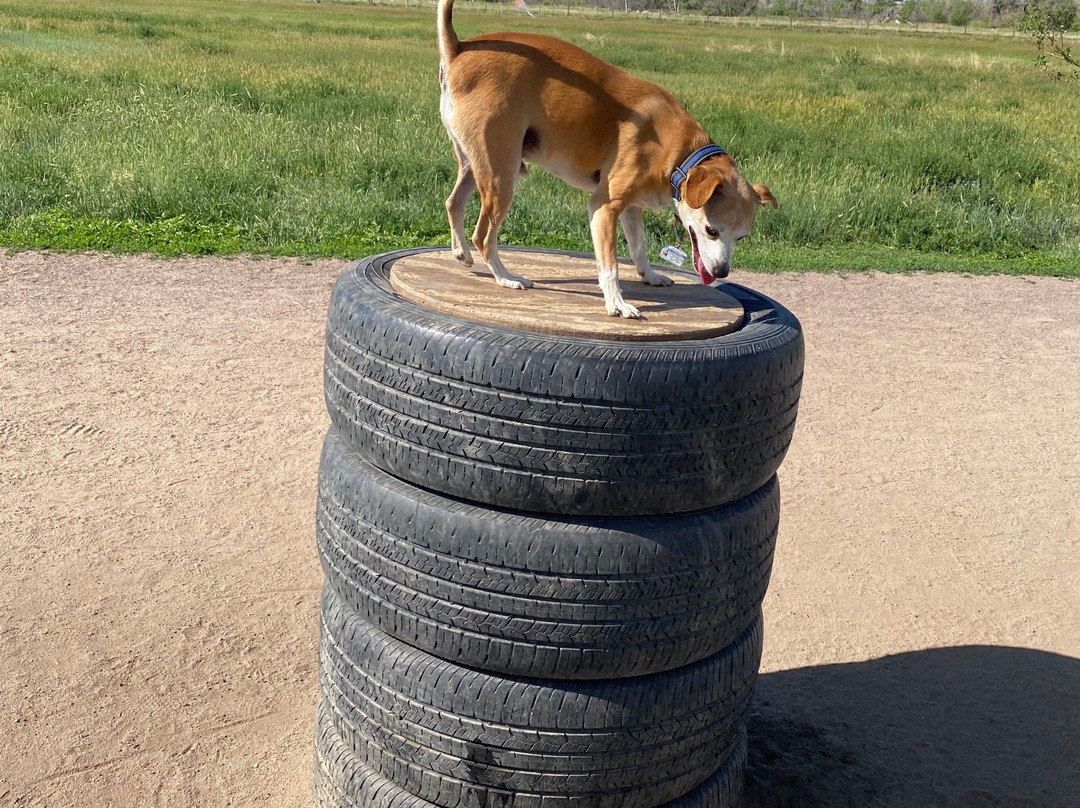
x=559, y=425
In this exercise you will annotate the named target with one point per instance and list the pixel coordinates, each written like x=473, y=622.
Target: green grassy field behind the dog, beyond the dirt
x=313, y=130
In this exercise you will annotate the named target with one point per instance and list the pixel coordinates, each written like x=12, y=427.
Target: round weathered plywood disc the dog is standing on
x=566, y=300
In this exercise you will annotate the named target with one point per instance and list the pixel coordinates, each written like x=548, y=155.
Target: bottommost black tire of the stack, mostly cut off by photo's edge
x=343, y=782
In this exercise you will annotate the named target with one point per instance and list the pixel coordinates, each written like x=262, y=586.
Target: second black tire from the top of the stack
x=531, y=596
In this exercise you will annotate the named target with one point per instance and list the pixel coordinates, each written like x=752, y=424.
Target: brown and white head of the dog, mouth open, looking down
x=718, y=208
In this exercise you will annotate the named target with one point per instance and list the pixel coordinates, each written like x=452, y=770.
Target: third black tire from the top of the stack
x=463, y=738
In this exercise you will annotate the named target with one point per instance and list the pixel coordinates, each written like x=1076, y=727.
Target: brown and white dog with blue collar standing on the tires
x=514, y=98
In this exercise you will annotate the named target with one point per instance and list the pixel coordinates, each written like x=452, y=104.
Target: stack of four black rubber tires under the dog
x=545, y=557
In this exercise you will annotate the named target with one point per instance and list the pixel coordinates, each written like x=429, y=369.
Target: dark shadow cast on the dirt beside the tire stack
x=968, y=728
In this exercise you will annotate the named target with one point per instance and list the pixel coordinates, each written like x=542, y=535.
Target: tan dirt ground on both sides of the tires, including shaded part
x=160, y=425
